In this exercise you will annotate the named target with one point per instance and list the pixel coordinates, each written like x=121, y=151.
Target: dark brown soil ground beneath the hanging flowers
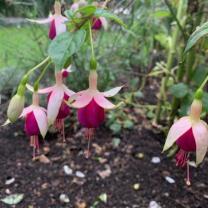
x=42, y=183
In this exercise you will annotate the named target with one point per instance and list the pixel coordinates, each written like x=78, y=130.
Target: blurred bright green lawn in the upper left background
x=21, y=46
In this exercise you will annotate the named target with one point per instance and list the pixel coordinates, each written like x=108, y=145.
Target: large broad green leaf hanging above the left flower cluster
x=64, y=46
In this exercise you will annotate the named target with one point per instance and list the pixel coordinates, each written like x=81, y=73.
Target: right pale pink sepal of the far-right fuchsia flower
x=200, y=131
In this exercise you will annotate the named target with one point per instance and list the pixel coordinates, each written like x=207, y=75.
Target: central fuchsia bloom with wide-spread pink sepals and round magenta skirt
x=91, y=105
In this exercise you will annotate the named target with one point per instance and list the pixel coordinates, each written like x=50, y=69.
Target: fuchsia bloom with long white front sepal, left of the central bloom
x=57, y=109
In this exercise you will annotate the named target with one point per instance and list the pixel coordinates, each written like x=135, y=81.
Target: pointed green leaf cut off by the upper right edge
x=196, y=35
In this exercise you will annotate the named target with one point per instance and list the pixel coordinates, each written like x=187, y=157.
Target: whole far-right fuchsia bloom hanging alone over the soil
x=191, y=135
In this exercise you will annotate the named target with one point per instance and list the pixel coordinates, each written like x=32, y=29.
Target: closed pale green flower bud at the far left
x=16, y=107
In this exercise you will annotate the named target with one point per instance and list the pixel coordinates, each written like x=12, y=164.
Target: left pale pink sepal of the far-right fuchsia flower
x=177, y=129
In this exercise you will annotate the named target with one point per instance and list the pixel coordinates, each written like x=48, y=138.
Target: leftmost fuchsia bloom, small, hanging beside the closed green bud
x=35, y=123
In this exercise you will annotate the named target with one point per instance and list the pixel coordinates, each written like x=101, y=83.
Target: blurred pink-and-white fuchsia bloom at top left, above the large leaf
x=56, y=21
